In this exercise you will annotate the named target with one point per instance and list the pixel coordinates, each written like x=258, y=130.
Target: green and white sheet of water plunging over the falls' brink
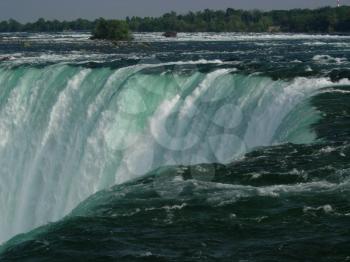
x=68, y=131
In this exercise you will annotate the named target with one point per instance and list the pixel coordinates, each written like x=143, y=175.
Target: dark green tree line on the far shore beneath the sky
x=322, y=20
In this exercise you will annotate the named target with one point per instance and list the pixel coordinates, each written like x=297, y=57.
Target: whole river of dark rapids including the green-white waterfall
x=230, y=147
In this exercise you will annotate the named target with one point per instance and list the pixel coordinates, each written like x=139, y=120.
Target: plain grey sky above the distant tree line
x=31, y=10
